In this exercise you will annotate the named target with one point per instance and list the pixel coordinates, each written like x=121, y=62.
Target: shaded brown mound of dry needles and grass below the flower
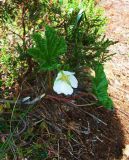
x=69, y=129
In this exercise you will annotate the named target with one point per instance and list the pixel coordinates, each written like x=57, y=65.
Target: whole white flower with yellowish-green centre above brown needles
x=65, y=82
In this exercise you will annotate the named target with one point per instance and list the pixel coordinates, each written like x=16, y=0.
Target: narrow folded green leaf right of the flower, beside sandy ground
x=100, y=86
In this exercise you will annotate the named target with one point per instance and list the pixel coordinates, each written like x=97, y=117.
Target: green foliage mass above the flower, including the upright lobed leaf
x=82, y=25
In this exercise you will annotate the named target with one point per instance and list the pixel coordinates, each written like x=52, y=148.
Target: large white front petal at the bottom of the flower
x=62, y=87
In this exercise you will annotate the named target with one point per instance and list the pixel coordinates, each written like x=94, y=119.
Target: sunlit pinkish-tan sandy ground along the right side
x=118, y=68
